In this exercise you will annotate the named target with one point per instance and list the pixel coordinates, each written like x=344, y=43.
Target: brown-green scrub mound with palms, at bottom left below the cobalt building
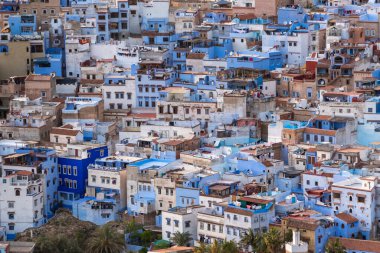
x=65, y=233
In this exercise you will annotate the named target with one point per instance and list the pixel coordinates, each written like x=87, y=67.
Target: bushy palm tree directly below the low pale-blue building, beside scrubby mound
x=106, y=240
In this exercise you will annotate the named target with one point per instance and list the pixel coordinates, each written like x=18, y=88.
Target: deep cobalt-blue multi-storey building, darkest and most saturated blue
x=72, y=168
